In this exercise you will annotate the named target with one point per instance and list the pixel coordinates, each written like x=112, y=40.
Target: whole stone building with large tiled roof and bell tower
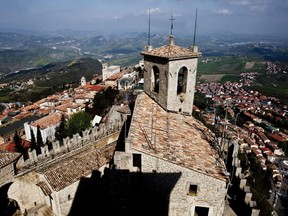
x=173, y=155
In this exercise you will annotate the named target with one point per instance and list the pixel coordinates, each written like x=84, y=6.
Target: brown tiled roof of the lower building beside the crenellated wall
x=68, y=171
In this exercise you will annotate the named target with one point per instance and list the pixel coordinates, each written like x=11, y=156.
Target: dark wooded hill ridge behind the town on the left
x=48, y=79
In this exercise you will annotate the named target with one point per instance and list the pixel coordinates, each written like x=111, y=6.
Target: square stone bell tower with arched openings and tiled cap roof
x=170, y=76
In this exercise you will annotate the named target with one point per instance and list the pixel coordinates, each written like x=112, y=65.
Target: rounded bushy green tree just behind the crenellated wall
x=78, y=122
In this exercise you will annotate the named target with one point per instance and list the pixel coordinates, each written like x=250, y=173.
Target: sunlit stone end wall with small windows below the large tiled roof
x=211, y=192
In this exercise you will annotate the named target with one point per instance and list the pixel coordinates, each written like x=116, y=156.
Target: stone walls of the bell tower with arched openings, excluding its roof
x=168, y=78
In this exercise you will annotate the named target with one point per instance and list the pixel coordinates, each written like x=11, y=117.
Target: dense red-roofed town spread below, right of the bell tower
x=258, y=132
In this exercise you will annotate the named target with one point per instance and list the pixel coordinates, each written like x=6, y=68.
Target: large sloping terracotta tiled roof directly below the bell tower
x=173, y=137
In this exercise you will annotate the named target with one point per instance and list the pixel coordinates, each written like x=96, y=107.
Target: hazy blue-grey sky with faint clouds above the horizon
x=269, y=17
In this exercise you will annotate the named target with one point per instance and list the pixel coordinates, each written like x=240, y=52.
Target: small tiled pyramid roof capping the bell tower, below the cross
x=172, y=51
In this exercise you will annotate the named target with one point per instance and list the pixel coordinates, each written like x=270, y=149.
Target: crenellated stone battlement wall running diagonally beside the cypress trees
x=70, y=146
